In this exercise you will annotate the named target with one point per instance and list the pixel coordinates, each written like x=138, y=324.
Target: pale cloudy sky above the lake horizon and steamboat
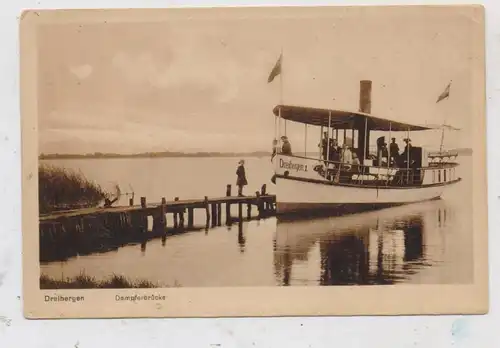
x=200, y=83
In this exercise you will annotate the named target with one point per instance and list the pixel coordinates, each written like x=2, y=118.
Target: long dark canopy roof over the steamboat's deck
x=342, y=119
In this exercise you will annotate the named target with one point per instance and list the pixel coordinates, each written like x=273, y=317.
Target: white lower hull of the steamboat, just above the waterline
x=294, y=196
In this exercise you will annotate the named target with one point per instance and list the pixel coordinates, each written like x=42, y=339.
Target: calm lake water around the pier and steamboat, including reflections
x=421, y=243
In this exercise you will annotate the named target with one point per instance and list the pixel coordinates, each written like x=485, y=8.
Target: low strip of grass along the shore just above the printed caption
x=84, y=281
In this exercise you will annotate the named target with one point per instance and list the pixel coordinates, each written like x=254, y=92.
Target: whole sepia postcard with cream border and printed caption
x=272, y=161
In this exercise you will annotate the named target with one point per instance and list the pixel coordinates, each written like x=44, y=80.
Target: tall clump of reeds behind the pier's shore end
x=61, y=188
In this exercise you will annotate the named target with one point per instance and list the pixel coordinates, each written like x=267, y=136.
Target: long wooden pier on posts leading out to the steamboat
x=75, y=232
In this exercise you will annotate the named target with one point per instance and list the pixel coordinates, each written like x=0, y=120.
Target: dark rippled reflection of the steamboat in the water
x=379, y=247
